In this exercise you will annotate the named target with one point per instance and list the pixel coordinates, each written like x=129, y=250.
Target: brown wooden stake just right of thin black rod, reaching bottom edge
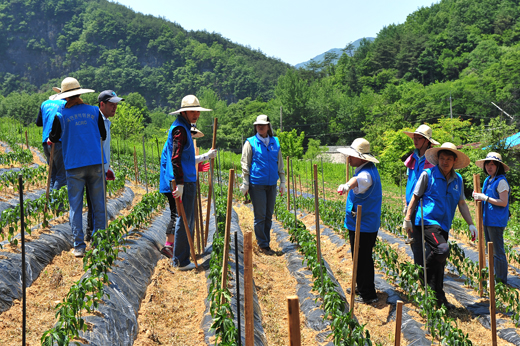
x=248, y=288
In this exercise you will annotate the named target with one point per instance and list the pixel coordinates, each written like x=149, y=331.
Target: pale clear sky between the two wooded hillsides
x=293, y=31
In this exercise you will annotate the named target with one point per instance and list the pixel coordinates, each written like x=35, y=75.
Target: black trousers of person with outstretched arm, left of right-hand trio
x=365, y=272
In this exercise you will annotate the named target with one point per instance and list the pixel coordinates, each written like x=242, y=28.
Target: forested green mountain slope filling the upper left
x=106, y=45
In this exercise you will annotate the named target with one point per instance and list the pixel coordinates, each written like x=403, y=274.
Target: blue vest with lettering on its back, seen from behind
x=80, y=136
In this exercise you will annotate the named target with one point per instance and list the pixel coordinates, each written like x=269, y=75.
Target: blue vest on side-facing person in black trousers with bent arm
x=370, y=201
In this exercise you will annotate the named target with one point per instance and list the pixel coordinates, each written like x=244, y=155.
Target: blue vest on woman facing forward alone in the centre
x=264, y=162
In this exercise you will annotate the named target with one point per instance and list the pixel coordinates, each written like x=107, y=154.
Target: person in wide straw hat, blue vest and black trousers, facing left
x=363, y=189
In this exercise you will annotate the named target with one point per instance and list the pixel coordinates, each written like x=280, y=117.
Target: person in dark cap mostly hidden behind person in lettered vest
x=108, y=101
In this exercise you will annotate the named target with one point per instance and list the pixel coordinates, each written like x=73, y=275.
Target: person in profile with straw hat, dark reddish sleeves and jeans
x=178, y=162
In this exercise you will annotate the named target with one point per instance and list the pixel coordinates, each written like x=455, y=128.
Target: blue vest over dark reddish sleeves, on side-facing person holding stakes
x=187, y=158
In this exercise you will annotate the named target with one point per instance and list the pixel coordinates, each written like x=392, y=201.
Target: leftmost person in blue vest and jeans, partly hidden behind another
x=48, y=110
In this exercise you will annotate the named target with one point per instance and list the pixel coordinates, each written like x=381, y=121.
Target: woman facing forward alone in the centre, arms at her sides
x=262, y=166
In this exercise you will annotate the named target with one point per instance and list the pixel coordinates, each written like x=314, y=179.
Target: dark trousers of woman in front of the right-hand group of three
x=437, y=238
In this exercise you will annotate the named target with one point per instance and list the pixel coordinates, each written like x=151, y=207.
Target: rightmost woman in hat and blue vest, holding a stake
x=495, y=206
